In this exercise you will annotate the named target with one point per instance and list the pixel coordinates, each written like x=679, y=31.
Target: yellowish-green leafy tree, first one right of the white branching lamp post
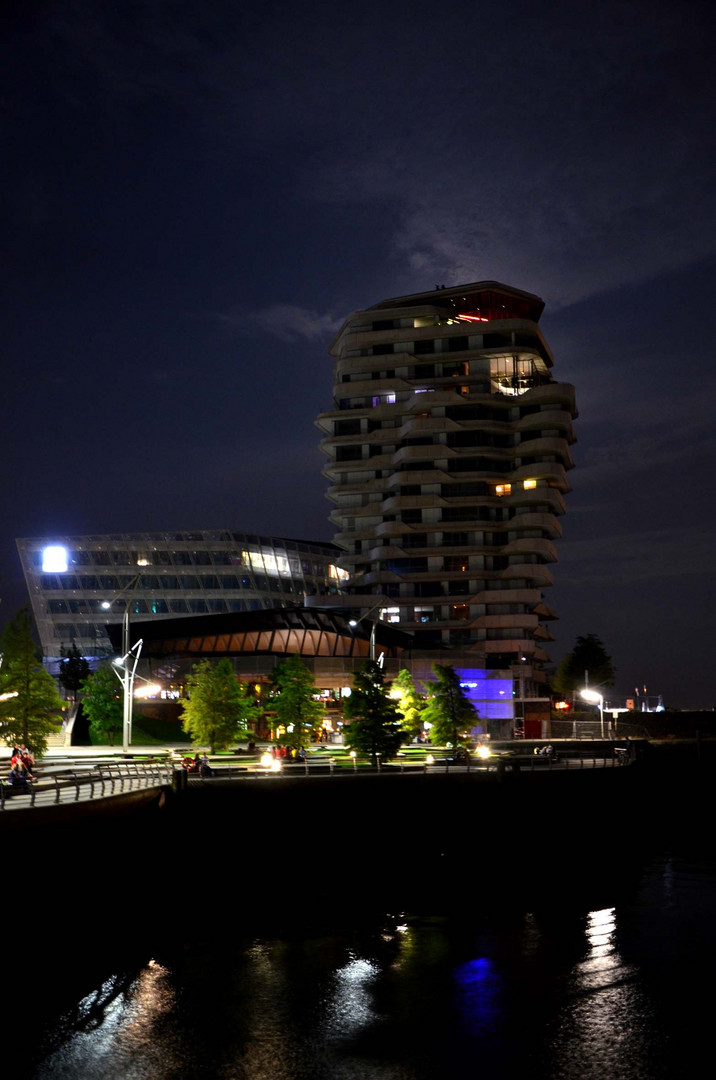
x=219, y=708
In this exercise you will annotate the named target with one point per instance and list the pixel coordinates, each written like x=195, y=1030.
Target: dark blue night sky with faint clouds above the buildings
x=197, y=195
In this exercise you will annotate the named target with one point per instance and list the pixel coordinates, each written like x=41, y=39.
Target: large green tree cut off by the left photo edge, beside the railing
x=33, y=700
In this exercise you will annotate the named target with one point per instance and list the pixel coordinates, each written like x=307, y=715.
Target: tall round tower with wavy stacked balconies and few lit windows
x=449, y=451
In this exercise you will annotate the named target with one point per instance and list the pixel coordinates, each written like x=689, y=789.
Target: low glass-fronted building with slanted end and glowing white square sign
x=79, y=585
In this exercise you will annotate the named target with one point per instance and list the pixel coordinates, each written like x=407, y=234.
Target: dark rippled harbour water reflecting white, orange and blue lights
x=613, y=979
